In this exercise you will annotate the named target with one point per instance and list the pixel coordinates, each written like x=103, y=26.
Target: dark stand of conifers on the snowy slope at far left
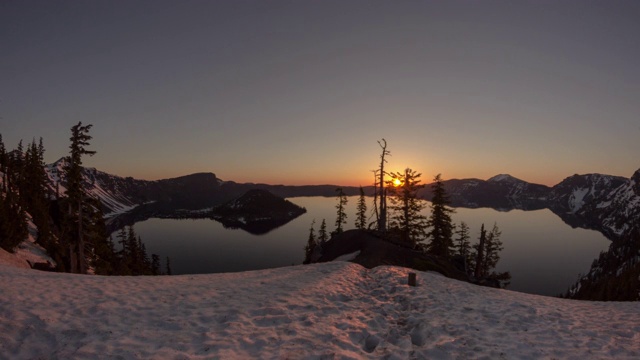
x=70, y=227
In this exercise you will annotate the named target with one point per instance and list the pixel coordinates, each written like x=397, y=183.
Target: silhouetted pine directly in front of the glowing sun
x=406, y=217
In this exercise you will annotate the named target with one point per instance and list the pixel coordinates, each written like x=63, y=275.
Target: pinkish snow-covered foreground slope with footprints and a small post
x=332, y=310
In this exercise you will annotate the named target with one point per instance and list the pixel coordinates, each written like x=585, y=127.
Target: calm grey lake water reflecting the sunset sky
x=543, y=254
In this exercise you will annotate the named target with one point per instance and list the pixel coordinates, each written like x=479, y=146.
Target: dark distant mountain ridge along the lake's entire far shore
x=574, y=199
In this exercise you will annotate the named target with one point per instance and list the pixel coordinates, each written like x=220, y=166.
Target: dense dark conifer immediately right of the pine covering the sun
x=441, y=233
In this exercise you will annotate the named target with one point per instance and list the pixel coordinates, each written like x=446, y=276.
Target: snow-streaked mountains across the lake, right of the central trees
x=609, y=204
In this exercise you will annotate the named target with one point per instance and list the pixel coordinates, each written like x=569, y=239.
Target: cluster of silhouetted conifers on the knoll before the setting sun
x=397, y=216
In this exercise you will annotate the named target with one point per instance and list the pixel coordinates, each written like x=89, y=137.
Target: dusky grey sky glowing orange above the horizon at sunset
x=299, y=92
